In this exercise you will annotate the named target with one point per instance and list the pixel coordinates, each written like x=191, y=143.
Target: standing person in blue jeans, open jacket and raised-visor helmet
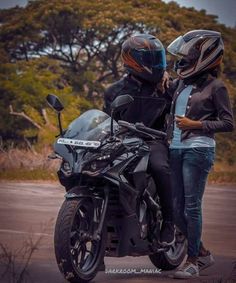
x=200, y=108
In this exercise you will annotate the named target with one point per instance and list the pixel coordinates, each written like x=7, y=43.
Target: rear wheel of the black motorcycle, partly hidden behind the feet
x=168, y=260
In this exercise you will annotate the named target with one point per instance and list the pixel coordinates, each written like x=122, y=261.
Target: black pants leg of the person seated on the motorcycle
x=160, y=170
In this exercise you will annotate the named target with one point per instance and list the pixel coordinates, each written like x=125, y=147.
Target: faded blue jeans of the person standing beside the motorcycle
x=189, y=171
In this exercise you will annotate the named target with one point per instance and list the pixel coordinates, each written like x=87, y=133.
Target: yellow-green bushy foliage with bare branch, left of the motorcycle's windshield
x=24, y=87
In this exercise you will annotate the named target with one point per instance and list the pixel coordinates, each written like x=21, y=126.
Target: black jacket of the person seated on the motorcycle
x=150, y=106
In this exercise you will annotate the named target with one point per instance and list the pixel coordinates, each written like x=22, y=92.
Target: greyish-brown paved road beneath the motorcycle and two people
x=25, y=208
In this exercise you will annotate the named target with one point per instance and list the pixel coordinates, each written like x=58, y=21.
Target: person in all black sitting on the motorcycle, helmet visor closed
x=144, y=59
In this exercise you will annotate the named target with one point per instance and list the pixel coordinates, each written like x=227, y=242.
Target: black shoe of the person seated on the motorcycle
x=167, y=235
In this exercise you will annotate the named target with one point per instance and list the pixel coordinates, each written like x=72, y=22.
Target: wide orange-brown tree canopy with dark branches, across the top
x=86, y=35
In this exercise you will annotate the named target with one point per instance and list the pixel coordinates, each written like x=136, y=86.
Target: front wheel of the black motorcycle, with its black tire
x=78, y=255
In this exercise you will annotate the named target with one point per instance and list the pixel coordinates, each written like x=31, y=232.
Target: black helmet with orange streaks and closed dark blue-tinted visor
x=143, y=55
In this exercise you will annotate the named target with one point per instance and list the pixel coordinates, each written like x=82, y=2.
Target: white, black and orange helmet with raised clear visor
x=198, y=50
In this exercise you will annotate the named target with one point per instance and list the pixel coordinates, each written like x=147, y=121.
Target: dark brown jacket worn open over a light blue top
x=209, y=103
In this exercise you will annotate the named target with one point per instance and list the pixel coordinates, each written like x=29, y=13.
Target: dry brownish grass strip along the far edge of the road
x=16, y=164
